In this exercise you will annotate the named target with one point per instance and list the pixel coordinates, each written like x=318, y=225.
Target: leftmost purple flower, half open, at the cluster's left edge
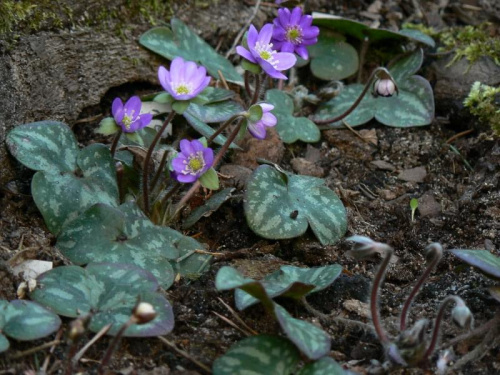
x=128, y=116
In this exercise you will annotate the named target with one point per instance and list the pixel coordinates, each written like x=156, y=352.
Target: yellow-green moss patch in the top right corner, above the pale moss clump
x=471, y=42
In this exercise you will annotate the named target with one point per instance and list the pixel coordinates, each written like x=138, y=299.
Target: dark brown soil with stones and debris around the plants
x=459, y=207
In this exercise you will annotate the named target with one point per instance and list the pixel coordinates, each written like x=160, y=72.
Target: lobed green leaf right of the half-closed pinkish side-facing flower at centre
x=290, y=128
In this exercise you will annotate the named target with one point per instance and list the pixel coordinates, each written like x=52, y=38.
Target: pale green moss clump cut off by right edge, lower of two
x=482, y=102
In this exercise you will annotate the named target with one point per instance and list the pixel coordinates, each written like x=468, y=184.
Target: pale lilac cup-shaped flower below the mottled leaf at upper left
x=185, y=79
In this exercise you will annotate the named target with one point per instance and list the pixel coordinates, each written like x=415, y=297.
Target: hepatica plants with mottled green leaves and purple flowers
x=114, y=208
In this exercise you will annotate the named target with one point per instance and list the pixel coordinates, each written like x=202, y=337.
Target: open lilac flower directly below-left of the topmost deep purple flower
x=262, y=52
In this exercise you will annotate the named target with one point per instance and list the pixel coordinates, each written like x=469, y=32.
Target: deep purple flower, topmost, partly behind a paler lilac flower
x=293, y=32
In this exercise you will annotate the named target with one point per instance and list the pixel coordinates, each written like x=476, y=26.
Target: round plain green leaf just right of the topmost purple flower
x=333, y=59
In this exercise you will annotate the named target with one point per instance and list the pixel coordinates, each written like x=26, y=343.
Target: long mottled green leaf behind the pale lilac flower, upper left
x=183, y=42
